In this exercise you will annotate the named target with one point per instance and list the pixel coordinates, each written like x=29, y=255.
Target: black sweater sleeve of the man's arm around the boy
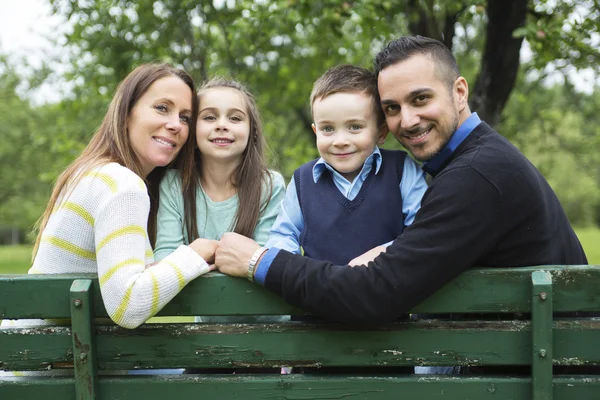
x=460, y=220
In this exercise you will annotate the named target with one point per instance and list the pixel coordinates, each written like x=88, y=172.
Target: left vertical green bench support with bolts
x=84, y=349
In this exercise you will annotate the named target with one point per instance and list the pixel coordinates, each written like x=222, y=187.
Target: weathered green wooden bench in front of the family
x=534, y=338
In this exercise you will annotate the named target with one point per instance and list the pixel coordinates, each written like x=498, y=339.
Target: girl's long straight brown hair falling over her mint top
x=249, y=178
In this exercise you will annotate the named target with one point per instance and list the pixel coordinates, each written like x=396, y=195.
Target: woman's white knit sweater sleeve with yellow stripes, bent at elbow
x=132, y=292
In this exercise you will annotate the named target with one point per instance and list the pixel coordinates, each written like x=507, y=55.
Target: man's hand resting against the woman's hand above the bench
x=234, y=254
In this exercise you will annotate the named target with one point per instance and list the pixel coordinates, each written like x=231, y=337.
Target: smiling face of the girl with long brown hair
x=223, y=125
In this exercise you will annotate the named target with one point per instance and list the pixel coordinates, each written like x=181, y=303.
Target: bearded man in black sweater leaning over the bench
x=487, y=205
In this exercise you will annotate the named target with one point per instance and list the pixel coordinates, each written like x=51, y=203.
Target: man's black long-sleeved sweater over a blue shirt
x=489, y=206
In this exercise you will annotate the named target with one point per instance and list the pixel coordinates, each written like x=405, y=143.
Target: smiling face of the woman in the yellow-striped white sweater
x=158, y=124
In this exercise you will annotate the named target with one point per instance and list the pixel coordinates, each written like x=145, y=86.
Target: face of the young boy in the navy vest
x=347, y=131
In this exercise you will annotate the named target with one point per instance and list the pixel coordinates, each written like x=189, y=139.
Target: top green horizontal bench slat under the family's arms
x=479, y=290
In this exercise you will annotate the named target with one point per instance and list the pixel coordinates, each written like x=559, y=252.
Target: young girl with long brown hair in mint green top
x=226, y=185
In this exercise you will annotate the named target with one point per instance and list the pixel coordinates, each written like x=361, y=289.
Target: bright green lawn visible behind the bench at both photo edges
x=17, y=259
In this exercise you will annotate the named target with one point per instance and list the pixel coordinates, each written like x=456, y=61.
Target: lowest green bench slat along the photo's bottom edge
x=252, y=387
